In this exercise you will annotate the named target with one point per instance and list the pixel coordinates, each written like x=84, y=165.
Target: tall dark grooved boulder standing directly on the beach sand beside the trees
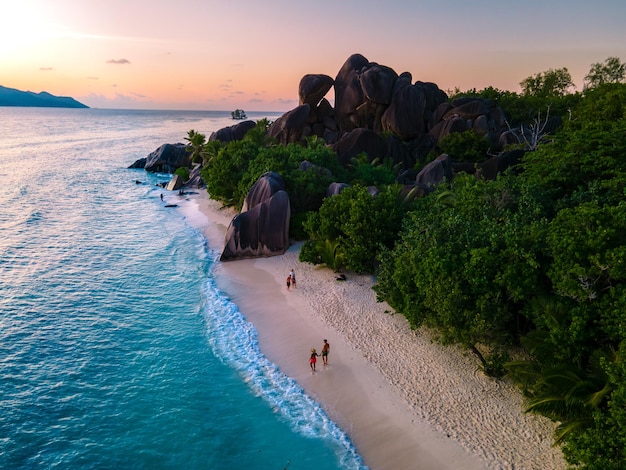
x=262, y=228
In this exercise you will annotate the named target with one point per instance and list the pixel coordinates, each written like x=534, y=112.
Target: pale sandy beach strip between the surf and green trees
x=403, y=400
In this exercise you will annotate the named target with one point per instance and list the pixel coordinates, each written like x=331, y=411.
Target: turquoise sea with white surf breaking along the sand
x=117, y=351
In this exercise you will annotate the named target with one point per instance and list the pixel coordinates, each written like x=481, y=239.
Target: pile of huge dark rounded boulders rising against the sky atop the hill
x=374, y=97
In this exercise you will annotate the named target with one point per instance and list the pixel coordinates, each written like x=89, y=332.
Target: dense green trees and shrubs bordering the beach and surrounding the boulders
x=528, y=270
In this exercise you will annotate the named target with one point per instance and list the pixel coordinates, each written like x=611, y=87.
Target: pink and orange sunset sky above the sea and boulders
x=222, y=55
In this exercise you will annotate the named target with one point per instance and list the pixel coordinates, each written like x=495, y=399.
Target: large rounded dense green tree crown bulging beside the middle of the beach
x=462, y=268
